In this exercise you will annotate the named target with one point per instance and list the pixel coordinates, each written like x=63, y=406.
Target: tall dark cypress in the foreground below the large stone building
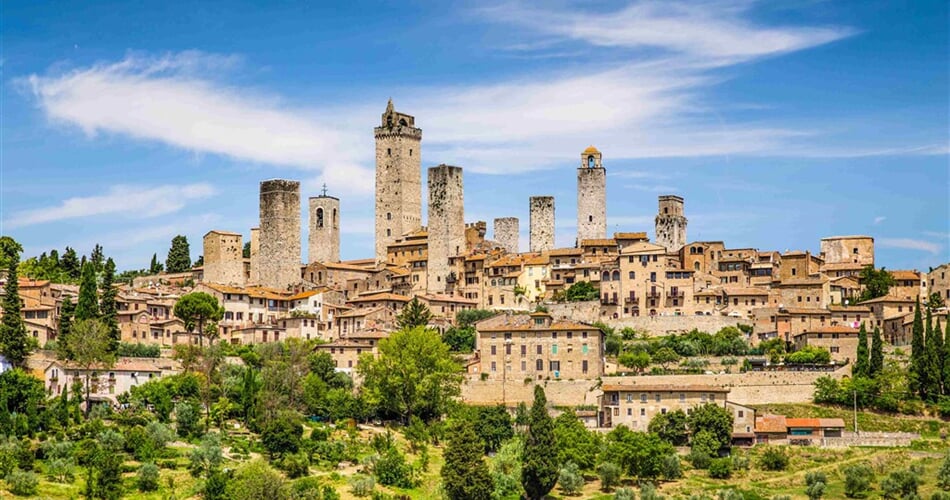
x=539, y=466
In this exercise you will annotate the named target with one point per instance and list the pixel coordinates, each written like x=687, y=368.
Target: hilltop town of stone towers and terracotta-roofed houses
x=619, y=329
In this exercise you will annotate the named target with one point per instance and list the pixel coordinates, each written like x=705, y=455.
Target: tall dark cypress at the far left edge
x=15, y=345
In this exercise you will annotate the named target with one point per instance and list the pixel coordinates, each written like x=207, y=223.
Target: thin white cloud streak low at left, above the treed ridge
x=132, y=201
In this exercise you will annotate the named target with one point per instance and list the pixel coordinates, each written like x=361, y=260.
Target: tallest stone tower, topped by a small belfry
x=398, y=178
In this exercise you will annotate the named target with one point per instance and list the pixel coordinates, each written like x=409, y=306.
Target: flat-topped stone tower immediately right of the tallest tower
x=446, y=224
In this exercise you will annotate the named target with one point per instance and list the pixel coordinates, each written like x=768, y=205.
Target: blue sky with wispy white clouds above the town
x=127, y=122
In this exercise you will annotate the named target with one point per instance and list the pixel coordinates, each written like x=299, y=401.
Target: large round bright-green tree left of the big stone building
x=414, y=374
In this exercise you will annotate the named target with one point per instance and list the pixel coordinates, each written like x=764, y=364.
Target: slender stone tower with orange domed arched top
x=591, y=197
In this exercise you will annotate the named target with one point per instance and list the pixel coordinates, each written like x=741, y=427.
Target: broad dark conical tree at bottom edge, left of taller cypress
x=464, y=474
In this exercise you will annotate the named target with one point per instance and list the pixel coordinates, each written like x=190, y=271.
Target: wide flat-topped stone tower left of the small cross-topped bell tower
x=279, y=255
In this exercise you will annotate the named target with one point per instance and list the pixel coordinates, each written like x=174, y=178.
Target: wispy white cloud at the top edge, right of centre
x=716, y=31
